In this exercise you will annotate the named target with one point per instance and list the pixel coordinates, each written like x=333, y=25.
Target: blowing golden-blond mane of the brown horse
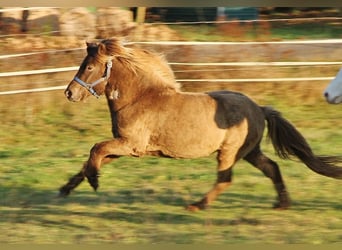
x=151, y=66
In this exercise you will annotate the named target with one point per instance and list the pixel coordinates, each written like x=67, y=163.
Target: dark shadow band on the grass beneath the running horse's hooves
x=28, y=205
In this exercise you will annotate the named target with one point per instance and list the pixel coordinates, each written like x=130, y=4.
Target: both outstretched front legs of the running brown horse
x=100, y=154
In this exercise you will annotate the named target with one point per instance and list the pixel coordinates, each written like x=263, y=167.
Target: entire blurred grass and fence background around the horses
x=281, y=57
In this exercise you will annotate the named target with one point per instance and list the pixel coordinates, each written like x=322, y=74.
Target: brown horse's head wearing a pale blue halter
x=93, y=73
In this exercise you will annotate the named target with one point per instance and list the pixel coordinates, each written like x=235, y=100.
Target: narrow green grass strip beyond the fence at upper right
x=255, y=32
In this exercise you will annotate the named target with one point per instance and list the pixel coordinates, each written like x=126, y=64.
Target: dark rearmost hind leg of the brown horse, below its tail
x=271, y=170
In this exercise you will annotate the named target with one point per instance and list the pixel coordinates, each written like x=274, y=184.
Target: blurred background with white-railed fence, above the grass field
x=237, y=43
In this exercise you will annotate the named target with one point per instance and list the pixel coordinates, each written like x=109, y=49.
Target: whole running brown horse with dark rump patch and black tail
x=152, y=116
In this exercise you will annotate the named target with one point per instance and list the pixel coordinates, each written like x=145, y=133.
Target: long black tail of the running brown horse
x=287, y=141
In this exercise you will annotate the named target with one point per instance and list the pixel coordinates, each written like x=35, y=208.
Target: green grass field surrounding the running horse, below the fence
x=142, y=200
